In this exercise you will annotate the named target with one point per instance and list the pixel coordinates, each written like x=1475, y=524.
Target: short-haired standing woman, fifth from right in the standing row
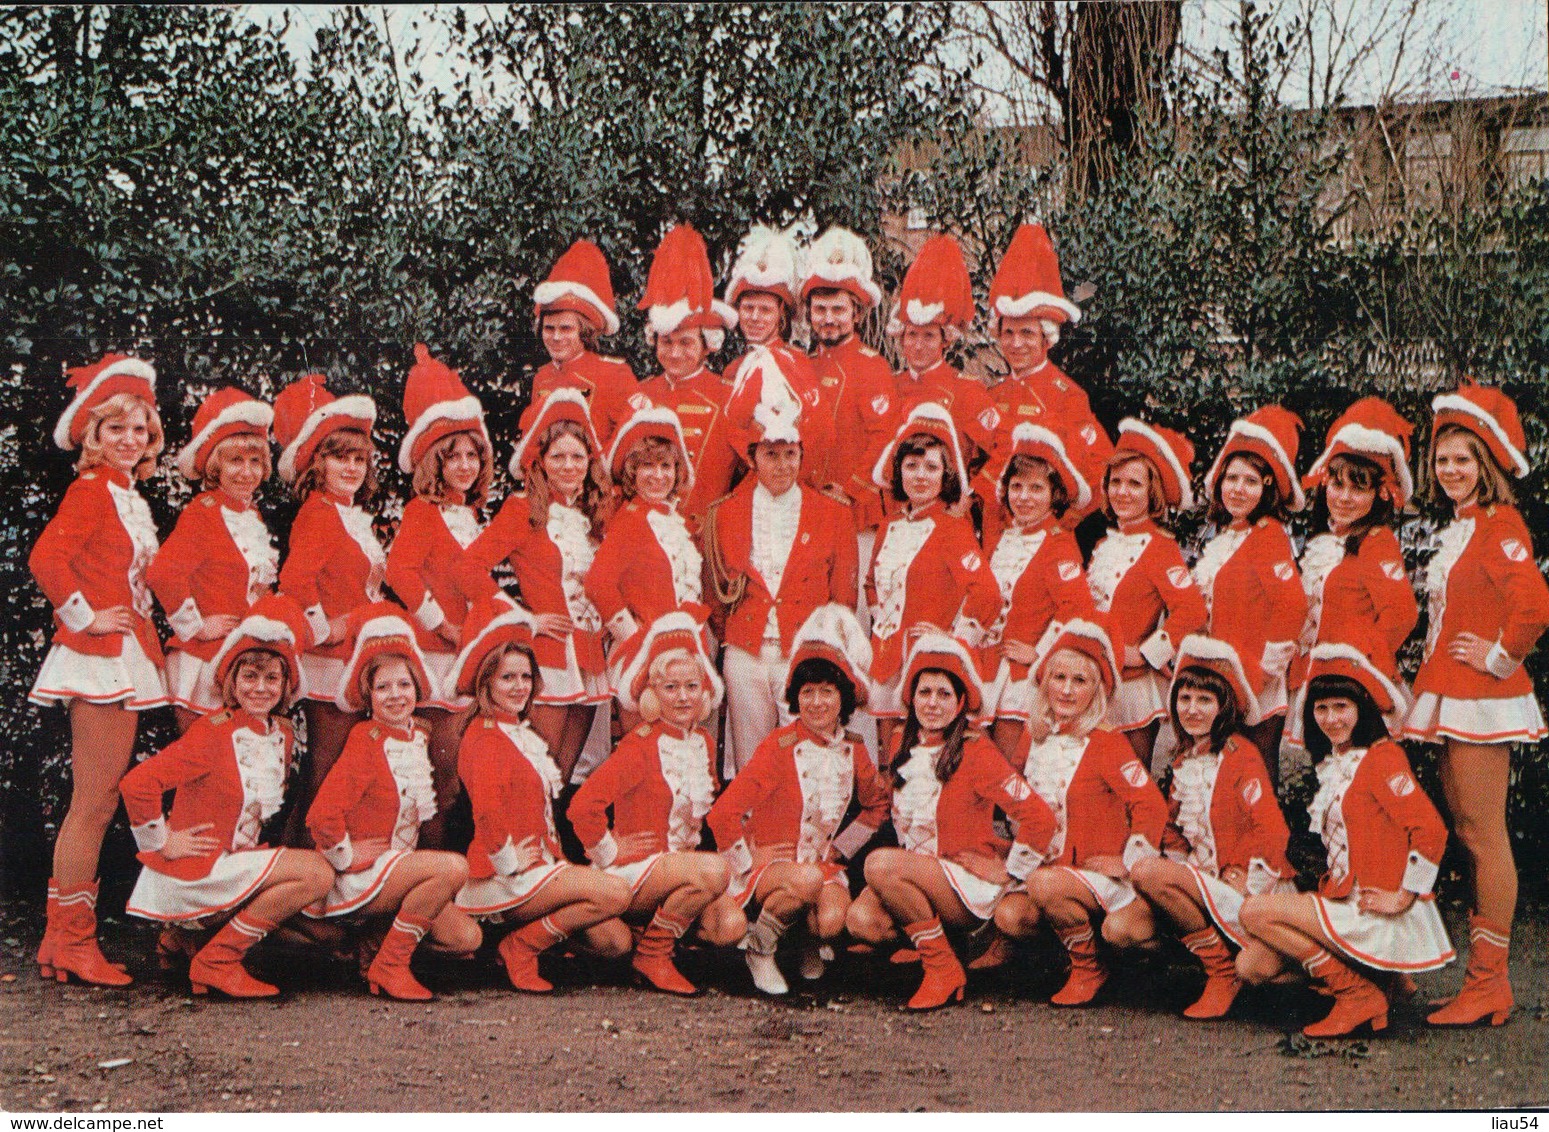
x=1037, y=563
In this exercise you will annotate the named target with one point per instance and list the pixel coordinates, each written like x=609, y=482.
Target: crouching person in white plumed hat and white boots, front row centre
x=777, y=822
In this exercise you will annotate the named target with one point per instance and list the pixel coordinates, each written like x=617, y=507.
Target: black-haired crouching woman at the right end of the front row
x=1375, y=905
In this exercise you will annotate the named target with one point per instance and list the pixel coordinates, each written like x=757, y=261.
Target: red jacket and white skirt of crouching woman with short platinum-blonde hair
x=659, y=781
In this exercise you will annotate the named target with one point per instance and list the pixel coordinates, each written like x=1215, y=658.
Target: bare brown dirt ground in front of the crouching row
x=600, y=1045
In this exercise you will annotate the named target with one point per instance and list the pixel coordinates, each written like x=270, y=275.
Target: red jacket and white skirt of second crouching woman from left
x=380, y=789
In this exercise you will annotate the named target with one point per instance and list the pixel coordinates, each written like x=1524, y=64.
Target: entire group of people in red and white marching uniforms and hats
x=836, y=551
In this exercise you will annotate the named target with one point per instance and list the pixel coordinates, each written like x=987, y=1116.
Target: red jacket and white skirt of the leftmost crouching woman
x=228, y=772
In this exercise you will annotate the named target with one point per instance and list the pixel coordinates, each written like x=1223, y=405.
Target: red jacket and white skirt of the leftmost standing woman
x=95, y=555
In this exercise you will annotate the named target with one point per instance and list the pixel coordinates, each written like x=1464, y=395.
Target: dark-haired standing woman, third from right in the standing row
x=1248, y=572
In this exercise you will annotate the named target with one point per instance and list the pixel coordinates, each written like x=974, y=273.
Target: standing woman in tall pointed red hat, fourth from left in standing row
x=447, y=451
